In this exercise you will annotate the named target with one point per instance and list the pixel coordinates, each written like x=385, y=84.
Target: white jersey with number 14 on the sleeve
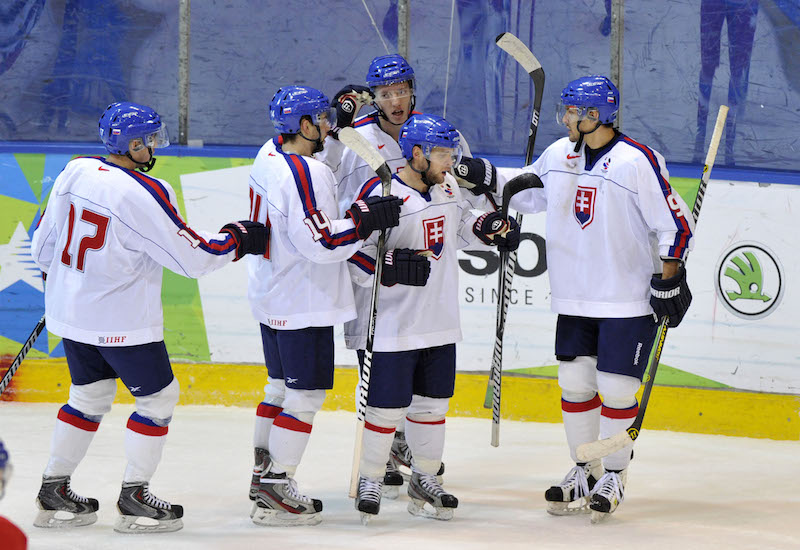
x=303, y=280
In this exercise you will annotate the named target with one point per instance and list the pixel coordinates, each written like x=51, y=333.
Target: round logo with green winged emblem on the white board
x=749, y=280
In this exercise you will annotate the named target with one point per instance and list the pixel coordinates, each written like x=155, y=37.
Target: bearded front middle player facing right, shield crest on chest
x=415, y=353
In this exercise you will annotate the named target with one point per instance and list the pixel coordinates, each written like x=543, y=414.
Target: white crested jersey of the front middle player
x=412, y=317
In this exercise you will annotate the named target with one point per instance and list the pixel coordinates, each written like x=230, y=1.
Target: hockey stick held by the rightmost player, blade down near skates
x=604, y=447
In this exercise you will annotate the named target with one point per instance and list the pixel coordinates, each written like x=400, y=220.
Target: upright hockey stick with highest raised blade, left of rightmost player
x=508, y=261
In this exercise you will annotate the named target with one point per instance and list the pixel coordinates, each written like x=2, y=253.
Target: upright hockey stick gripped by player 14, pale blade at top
x=371, y=156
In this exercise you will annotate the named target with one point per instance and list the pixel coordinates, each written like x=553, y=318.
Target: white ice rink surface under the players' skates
x=684, y=491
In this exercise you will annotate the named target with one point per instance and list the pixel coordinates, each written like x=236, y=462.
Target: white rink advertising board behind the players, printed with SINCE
x=754, y=354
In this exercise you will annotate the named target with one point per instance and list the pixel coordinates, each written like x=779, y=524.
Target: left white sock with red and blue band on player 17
x=73, y=433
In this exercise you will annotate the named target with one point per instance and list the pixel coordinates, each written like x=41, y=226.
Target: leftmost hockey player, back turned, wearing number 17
x=107, y=232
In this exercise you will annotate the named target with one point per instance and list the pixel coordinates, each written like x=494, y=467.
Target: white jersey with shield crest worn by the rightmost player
x=607, y=224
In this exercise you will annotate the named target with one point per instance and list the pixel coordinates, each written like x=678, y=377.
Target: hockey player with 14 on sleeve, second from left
x=298, y=291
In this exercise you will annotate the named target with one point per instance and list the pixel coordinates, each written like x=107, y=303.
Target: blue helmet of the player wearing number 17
x=124, y=121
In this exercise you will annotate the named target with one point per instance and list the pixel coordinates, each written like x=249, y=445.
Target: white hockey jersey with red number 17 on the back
x=102, y=241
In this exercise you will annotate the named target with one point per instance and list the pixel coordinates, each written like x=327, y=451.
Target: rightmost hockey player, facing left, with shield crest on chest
x=612, y=221
